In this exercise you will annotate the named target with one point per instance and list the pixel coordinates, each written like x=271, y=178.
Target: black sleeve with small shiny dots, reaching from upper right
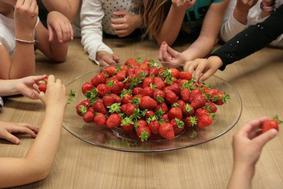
x=251, y=39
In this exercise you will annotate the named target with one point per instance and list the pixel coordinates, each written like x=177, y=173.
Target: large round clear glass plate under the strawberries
x=226, y=117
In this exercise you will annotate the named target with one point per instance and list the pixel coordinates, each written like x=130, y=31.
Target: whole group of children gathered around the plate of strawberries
x=49, y=25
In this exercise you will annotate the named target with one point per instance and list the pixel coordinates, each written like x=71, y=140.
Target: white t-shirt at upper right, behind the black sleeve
x=232, y=27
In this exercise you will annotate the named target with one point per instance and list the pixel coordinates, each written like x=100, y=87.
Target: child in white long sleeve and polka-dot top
x=119, y=18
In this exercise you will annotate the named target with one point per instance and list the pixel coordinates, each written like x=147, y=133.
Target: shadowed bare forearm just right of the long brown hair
x=171, y=26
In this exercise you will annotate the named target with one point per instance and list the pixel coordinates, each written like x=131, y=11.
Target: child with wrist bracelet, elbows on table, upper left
x=20, y=30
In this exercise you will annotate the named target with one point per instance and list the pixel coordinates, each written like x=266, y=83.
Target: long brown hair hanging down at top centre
x=155, y=12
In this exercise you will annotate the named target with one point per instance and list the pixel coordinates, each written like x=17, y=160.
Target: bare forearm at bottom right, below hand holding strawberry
x=241, y=177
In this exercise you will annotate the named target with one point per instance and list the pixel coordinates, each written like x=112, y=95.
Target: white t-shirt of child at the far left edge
x=7, y=33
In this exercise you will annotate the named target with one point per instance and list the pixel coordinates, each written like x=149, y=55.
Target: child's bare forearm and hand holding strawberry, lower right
x=247, y=147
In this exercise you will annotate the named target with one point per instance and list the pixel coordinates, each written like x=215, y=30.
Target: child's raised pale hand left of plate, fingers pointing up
x=55, y=95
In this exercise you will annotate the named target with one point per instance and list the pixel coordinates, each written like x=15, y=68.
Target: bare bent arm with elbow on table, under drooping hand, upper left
x=53, y=50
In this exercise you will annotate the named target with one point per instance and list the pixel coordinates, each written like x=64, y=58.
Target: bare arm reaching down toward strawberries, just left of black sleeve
x=209, y=35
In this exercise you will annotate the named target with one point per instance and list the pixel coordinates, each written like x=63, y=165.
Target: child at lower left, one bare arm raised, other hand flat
x=37, y=163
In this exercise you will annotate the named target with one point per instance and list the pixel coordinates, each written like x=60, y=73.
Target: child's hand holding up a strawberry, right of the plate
x=247, y=144
